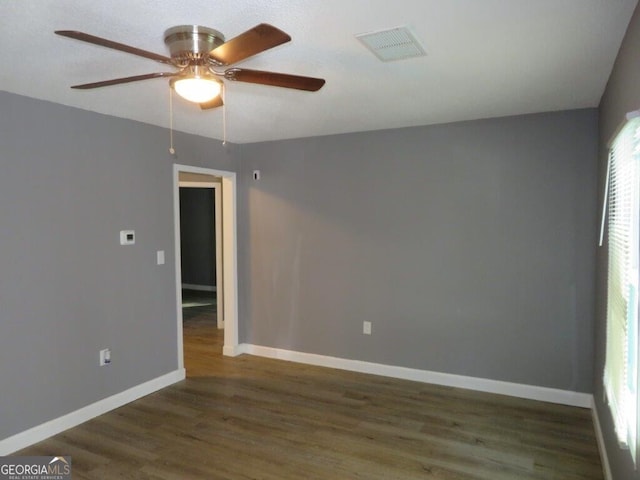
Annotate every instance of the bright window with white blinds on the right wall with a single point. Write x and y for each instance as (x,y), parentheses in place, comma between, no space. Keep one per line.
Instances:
(622,207)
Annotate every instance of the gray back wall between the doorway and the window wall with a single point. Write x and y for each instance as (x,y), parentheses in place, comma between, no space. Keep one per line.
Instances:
(469,246)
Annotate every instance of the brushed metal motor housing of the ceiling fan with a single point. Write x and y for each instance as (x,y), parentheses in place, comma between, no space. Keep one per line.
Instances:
(189,42)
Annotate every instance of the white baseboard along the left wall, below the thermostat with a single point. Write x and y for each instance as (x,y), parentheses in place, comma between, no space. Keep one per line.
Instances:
(53,427)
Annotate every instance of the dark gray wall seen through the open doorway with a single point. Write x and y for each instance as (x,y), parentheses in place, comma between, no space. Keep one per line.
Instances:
(197,236)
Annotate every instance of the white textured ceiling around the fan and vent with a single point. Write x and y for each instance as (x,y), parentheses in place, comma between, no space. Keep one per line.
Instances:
(485,58)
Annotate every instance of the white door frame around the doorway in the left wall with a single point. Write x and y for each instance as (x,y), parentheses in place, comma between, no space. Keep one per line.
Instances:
(229,261)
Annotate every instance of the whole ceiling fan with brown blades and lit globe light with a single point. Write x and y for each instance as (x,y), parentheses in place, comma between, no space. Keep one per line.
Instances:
(201,54)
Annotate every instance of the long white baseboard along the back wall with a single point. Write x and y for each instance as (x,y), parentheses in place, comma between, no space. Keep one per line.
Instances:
(552,395)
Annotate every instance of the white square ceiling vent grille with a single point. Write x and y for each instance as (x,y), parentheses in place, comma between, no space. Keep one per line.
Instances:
(393,44)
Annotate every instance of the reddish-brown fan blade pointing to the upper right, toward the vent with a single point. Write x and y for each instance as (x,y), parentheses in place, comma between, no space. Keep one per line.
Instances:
(258,39)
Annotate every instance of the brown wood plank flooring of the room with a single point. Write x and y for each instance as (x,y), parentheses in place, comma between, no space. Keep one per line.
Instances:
(254,418)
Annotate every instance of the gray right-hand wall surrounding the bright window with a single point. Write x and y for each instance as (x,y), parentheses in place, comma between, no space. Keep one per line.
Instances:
(622,95)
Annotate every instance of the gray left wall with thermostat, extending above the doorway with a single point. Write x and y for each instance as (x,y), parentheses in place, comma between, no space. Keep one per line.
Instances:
(70,180)
